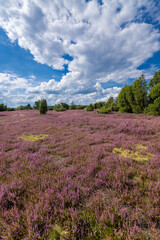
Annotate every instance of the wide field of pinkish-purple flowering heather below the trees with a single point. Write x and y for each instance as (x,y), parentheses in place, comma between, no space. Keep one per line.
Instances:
(70,184)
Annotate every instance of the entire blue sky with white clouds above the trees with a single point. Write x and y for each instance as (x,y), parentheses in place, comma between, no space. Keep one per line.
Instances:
(83,51)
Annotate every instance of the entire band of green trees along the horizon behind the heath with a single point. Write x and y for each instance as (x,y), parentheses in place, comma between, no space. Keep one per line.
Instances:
(140,97)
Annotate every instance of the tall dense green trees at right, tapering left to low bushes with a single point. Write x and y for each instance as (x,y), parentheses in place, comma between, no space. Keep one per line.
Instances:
(139,97)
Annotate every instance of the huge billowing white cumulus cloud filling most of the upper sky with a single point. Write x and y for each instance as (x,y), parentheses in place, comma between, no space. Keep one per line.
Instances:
(107,41)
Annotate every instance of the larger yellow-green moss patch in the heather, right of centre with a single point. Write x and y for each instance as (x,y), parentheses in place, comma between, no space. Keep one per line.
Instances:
(136,156)
